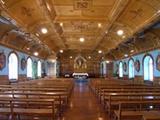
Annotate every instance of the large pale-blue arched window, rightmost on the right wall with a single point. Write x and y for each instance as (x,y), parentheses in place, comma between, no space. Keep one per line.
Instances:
(148,68)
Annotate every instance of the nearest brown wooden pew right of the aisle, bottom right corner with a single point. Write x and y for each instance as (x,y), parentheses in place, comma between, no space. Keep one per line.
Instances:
(137,109)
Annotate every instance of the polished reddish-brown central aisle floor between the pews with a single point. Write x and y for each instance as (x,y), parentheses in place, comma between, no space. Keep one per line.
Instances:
(83,105)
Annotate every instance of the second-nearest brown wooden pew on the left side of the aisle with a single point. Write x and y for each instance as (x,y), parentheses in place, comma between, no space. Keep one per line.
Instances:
(61,98)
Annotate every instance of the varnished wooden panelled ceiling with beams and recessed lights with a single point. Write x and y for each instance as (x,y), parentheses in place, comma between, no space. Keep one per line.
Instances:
(97,21)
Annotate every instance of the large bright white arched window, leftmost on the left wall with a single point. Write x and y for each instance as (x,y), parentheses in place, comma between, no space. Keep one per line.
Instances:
(13,66)
